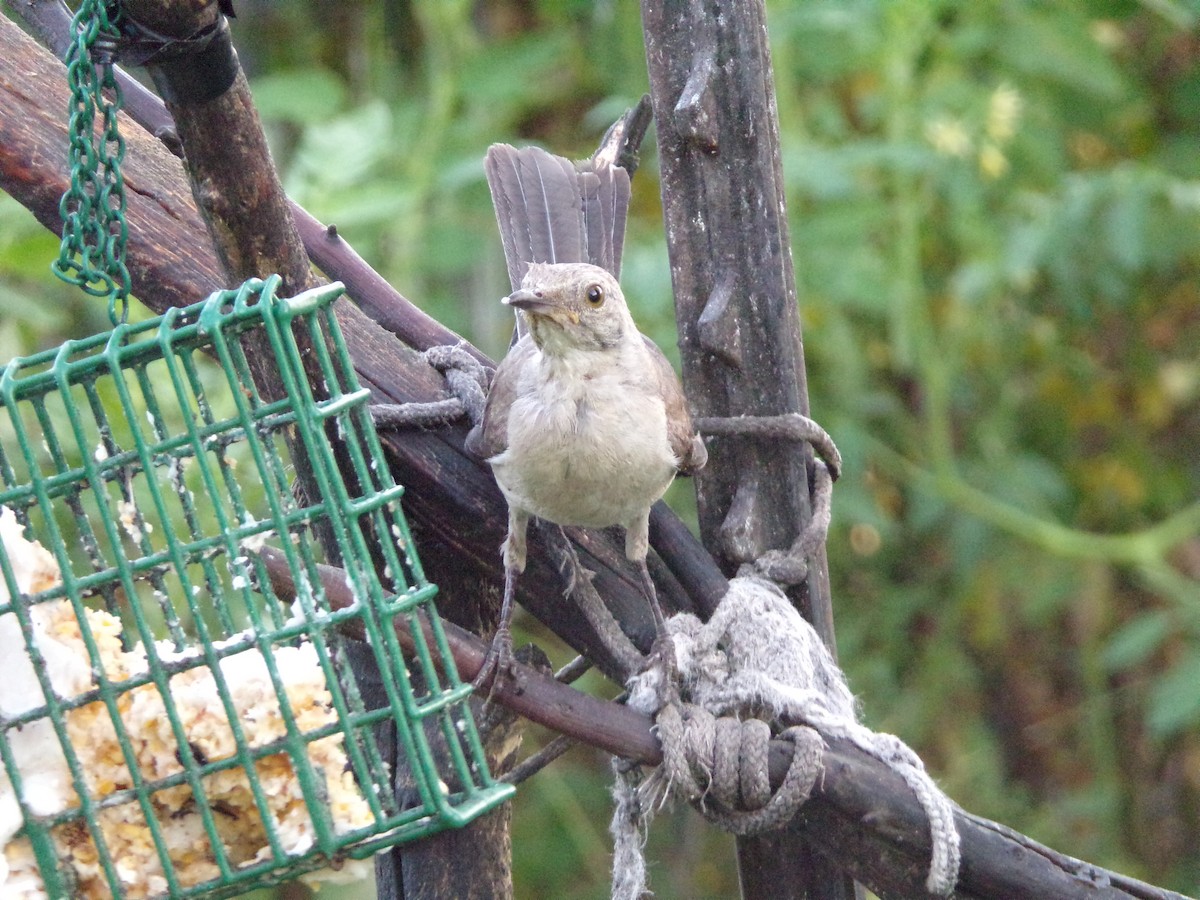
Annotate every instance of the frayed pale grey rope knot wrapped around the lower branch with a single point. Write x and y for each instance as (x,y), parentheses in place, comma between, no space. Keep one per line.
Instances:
(755,659)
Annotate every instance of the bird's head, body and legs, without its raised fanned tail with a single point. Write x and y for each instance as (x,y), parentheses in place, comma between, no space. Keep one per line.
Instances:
(586,424)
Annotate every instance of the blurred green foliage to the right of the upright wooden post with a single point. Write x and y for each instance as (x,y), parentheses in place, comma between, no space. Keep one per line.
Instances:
(995,232)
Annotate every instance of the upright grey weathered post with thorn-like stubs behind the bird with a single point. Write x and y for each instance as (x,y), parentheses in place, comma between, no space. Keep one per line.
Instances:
(740,334)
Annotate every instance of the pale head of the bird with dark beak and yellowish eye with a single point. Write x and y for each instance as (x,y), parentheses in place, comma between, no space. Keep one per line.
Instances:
(572,305)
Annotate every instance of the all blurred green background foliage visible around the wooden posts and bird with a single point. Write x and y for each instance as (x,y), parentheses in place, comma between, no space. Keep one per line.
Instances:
(994,218)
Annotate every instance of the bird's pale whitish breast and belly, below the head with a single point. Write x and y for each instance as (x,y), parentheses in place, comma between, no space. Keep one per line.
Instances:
(587,442)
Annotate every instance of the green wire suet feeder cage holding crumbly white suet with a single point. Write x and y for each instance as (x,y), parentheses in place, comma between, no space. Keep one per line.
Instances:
(181,728)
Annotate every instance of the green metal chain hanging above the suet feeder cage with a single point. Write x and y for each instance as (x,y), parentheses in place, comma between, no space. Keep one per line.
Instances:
(94,229)
